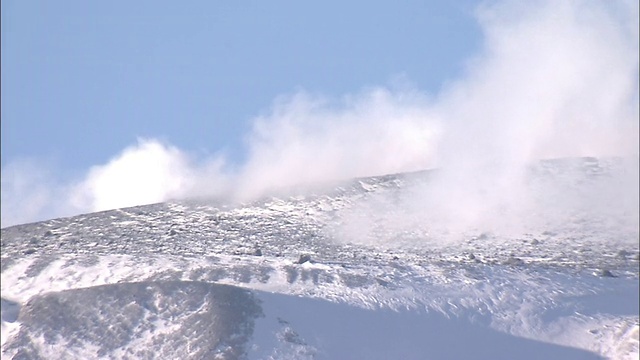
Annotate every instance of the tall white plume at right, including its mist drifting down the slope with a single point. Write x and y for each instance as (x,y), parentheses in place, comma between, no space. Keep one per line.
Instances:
(555,79)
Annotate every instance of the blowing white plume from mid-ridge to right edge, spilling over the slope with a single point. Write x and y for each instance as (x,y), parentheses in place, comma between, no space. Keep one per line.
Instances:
(554,80)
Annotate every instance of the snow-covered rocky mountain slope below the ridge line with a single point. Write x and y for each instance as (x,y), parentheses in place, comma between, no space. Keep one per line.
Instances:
(360,270)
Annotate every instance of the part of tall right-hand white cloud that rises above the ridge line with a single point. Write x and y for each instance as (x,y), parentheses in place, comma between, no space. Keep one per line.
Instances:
(554,79)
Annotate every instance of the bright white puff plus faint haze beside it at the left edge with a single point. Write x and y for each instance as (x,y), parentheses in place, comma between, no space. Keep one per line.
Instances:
(147,172)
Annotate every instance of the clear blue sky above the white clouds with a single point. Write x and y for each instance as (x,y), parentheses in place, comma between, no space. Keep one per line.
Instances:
(91,77)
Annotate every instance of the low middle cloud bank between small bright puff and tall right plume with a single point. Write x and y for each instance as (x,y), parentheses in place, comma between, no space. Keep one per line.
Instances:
(308,139)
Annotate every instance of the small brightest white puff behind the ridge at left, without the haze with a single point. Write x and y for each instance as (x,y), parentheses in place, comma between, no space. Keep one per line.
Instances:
(148,172)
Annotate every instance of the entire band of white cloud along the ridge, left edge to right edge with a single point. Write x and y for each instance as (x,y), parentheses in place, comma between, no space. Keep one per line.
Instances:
(553,79)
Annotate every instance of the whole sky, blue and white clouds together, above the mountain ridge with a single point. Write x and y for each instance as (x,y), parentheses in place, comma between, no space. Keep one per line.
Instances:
(110,104)
